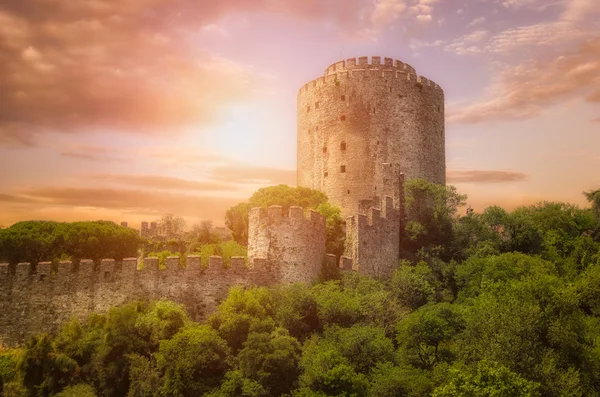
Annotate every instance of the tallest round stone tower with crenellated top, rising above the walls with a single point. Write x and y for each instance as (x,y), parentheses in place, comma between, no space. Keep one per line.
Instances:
(362,114)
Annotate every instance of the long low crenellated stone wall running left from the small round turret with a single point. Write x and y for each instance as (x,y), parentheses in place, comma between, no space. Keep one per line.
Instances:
(41,298)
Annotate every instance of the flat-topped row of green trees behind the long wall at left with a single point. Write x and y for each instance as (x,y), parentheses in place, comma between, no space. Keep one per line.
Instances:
(35,241)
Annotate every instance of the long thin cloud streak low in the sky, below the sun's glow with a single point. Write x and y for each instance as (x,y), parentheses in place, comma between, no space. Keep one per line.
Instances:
(163,182)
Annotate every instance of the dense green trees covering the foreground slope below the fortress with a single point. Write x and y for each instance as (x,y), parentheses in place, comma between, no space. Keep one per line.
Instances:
(499,304)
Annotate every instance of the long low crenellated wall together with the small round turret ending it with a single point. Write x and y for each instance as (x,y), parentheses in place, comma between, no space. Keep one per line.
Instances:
(283,249)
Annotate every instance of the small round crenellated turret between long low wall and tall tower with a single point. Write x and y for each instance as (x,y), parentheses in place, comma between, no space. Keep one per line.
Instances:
(295,241)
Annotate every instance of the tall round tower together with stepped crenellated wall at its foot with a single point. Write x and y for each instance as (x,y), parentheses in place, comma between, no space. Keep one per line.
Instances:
(362,128)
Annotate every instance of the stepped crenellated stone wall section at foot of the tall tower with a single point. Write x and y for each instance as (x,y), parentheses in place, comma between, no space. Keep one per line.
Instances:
(373,240)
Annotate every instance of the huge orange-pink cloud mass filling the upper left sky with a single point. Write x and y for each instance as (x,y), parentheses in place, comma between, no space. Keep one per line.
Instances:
(132,67)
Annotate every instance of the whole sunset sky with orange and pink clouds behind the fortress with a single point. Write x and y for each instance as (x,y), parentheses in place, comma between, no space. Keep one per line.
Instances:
(126,110)
